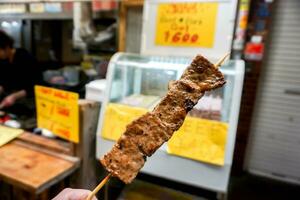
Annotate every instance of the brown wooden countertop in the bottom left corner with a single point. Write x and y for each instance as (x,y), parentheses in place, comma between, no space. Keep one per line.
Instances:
(30,163)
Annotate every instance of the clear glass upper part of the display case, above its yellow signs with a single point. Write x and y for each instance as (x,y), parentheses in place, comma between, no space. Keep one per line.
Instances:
(141,81)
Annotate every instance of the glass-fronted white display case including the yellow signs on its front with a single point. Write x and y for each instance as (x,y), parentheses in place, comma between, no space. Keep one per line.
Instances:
(136,83)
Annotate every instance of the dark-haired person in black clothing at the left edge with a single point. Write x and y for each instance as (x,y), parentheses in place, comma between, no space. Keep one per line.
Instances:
(18,72)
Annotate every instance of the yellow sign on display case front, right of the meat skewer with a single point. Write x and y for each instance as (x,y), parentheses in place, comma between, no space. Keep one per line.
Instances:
(200,139)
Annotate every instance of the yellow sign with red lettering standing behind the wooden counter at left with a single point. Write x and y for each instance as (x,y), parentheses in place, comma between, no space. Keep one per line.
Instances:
(58,111)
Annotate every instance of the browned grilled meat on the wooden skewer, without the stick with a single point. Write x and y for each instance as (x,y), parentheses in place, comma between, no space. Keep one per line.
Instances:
(146,134)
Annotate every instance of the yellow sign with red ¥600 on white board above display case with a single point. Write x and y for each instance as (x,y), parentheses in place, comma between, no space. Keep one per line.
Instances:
(186,24)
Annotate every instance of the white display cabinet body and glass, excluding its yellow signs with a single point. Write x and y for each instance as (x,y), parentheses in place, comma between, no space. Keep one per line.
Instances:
(133,77)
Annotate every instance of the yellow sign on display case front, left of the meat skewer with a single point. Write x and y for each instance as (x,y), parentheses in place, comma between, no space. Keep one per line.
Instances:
(117,117)
